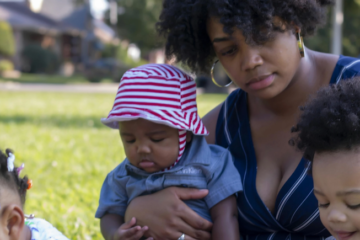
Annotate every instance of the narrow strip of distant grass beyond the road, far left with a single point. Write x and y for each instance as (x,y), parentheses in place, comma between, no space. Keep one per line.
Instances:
(43,78)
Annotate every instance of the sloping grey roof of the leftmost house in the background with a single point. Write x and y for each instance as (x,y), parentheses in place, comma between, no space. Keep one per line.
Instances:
(19,15)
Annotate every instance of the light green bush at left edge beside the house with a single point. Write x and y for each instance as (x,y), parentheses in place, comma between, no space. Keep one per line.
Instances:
(7,41)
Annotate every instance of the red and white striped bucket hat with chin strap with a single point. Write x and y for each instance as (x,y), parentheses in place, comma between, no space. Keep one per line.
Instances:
(159,93)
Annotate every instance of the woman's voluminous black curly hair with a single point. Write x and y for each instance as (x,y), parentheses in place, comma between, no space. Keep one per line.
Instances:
(183,23)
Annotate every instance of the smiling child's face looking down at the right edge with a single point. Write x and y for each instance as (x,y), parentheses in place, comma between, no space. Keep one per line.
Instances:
(337,188)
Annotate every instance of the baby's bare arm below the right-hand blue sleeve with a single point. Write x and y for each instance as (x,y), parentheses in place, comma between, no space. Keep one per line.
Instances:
(225,220)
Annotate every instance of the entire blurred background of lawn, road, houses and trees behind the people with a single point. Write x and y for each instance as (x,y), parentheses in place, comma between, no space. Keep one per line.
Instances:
(60,64)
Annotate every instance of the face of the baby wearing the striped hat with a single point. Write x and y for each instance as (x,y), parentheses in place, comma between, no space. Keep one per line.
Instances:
(149,146)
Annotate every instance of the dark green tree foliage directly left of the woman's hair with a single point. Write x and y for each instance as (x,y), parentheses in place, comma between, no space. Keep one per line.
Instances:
(137,23)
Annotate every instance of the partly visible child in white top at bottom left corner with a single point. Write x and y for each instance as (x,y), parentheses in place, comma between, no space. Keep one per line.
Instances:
(13,189)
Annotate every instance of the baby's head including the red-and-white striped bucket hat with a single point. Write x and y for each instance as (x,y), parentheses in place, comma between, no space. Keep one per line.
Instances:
(156,113)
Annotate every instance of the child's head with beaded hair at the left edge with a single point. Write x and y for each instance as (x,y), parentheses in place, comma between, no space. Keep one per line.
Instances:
(12,198)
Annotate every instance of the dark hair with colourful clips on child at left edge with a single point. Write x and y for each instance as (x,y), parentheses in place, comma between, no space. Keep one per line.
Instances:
(11,180)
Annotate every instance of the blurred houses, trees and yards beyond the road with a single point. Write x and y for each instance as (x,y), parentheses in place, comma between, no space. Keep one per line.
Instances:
(97,40)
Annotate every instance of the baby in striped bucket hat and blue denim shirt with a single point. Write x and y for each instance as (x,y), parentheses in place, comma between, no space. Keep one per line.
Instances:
(163,136)
